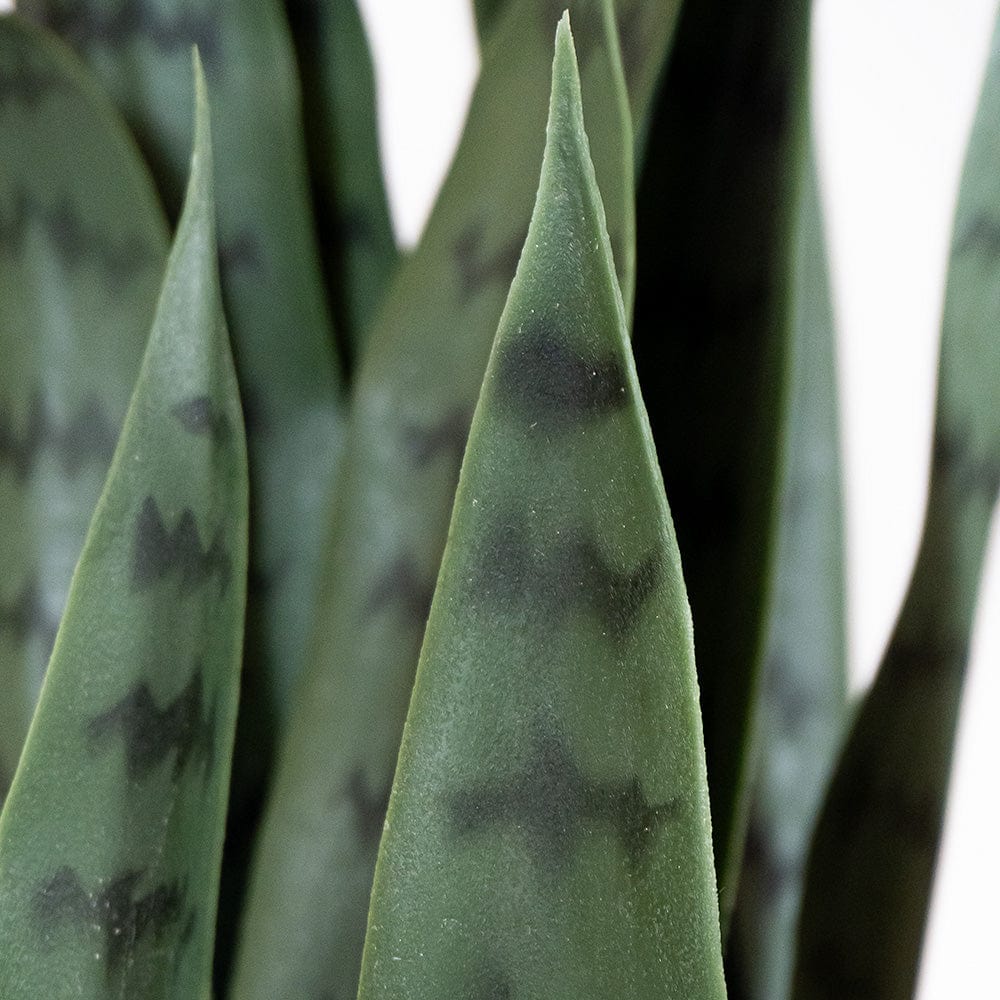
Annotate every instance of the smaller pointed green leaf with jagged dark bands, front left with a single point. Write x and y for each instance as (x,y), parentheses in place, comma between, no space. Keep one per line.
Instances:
(111,837)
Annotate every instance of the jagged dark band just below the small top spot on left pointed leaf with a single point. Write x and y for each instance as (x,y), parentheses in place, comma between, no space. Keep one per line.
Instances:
(160,553)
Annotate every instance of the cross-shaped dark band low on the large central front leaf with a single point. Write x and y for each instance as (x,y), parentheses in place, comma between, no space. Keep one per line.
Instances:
(551,804)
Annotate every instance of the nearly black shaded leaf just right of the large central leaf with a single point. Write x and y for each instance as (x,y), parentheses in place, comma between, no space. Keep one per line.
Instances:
(716,217)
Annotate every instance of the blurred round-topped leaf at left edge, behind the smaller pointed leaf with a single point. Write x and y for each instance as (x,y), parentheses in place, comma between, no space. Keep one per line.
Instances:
(83,243)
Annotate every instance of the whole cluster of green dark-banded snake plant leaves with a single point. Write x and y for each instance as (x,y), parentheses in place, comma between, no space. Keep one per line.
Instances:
(407,548)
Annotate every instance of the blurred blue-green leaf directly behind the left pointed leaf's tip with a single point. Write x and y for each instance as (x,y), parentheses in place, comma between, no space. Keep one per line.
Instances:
(271,277)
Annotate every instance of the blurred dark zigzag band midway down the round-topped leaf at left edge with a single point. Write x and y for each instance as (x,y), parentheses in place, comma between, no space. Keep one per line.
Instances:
(87,437)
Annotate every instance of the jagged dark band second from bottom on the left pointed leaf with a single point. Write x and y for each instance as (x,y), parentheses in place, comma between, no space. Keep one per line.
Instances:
(184,727)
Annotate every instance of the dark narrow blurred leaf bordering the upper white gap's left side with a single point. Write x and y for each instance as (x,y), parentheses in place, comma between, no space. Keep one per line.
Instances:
(338,93)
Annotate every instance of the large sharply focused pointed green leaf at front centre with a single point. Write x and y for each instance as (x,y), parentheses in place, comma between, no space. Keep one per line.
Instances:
(548,832)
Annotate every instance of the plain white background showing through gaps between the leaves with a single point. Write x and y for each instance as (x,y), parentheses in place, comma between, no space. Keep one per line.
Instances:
(896,84)
